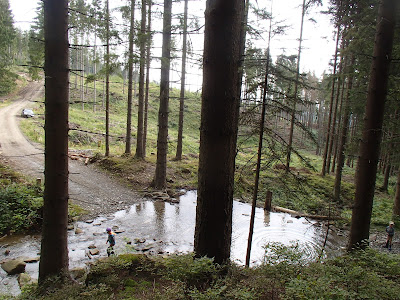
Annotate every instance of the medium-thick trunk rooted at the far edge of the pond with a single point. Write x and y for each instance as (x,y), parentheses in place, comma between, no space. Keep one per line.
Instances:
(160,178)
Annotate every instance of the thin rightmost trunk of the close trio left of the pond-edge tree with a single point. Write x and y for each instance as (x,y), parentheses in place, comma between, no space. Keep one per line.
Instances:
(148,62)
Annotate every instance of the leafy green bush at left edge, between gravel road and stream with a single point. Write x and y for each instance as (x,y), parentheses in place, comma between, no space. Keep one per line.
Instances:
(19,208)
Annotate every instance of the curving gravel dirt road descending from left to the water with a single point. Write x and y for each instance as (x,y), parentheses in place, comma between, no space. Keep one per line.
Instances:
(88,187)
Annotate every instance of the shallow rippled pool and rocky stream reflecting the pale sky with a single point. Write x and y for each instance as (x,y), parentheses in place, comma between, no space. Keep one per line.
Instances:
(160,228)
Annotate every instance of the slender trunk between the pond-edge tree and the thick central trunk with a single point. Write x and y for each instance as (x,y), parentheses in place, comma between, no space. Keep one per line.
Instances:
(178,155)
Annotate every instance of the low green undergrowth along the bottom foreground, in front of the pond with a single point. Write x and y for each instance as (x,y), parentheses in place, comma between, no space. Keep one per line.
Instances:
(363,274)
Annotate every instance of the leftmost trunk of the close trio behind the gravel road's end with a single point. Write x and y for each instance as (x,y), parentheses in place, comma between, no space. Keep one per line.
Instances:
(130,80)
